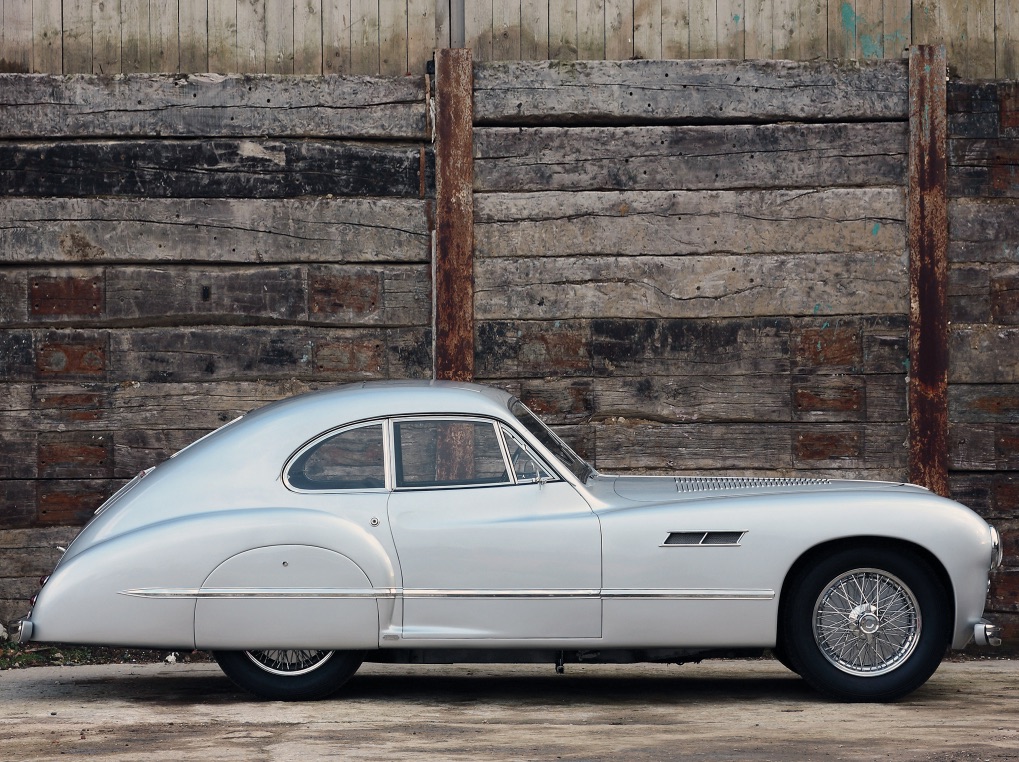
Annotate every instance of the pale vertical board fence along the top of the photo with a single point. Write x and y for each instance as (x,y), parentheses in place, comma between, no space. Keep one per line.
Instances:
(396,37)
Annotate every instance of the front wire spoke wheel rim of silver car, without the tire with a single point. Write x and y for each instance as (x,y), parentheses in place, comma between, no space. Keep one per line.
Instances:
(867,622)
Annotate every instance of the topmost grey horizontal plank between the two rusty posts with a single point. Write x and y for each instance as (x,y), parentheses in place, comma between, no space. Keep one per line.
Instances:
(663,92)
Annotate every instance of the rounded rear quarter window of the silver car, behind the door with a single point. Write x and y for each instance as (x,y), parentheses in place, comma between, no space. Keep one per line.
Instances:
(351,460)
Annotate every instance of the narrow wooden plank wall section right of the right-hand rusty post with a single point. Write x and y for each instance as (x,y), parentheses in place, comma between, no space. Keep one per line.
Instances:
(984,308)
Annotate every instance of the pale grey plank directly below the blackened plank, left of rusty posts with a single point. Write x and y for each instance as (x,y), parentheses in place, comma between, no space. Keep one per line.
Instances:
(118,231)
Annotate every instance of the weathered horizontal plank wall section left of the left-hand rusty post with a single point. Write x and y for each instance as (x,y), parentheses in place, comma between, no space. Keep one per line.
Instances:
(154,286)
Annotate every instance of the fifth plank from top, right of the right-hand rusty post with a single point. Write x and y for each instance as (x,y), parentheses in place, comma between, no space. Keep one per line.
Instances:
(983,355)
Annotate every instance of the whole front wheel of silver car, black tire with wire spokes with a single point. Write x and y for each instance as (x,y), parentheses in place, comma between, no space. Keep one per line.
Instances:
(867,624)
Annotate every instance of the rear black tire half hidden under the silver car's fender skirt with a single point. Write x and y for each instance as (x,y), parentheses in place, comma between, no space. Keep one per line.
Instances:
(290,675)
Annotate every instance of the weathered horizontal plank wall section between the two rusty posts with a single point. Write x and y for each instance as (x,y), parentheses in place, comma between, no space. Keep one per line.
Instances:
(723,288)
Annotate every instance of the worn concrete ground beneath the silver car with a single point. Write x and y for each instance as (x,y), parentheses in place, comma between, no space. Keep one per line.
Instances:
(718,711)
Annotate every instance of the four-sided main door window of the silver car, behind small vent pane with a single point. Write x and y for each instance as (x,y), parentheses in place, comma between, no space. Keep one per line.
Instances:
(447,454)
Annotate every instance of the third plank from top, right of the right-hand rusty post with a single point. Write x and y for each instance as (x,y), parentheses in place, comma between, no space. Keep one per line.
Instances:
(983,231)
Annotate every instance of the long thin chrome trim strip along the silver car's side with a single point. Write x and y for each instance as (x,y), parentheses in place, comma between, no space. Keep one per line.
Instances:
(310,593)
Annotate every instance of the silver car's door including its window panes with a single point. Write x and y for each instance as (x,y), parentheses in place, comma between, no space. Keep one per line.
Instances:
(490,551)
